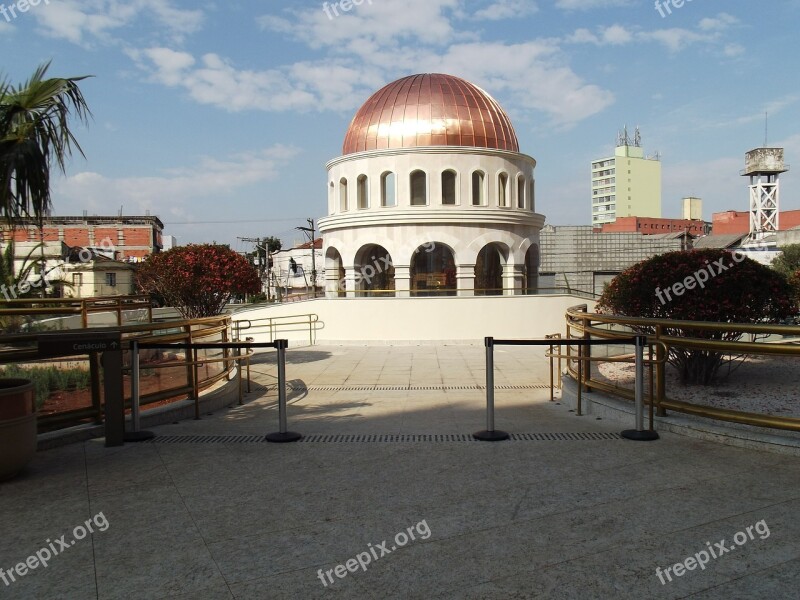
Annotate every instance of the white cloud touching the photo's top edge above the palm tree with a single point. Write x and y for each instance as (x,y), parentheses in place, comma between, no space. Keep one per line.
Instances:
(80,22)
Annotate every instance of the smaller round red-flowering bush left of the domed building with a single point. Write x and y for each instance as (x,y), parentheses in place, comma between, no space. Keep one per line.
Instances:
(198,279)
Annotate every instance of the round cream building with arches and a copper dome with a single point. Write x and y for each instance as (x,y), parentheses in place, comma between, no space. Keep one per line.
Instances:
(431,196)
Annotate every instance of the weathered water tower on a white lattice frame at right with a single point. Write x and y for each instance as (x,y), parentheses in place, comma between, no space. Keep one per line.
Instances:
(763,166)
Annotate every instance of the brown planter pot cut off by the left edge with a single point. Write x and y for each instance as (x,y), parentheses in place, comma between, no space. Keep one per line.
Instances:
(17,426)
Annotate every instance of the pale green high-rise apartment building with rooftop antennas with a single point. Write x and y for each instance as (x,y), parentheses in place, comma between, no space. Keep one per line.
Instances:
(626,184)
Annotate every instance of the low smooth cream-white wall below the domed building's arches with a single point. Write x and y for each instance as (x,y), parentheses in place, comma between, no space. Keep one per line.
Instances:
(382,320)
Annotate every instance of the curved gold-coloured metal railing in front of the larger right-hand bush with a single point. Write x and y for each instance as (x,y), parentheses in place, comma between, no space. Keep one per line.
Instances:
(665,335)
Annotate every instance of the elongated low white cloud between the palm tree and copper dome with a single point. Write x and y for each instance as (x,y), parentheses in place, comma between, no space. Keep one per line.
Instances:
(209,178)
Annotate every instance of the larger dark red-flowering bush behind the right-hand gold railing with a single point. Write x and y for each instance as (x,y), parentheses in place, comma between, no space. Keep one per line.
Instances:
(700,285)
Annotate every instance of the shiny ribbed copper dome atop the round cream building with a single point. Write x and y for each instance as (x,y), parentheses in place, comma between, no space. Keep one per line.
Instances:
(430,110)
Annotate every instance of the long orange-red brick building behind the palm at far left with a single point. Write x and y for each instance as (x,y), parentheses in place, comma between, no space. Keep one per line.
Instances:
(132,238)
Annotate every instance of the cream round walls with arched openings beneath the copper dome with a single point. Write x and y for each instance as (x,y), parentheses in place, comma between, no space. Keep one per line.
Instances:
(491,204)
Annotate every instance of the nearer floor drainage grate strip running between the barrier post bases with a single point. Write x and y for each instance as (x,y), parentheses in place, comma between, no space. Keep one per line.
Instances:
(383,438)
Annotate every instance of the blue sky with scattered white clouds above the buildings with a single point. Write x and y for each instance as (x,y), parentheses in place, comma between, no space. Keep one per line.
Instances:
(220,116)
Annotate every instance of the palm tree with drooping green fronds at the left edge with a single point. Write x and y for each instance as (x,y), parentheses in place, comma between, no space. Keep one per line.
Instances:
(34,132)
